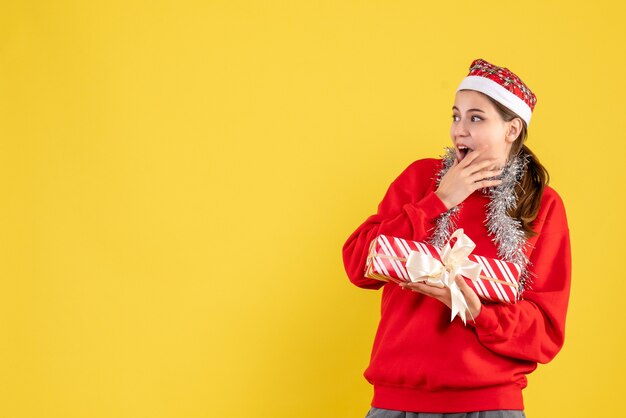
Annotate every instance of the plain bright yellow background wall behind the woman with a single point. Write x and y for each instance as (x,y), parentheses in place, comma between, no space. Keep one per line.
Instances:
(178,179)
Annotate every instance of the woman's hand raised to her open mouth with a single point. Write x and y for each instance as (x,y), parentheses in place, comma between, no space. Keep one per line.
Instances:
(465,177)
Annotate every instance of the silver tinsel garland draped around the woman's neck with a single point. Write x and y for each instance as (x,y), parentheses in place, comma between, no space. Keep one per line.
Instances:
(506,232)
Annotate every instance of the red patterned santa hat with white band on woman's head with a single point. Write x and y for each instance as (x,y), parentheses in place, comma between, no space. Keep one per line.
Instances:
(501,85)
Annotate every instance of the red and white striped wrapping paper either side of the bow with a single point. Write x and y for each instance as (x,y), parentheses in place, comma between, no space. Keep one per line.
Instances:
(387,258)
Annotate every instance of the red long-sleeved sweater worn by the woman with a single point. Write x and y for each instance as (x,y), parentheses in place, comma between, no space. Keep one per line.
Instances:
(421,361)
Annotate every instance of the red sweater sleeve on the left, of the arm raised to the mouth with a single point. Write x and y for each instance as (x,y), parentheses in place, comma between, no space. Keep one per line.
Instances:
(408,210)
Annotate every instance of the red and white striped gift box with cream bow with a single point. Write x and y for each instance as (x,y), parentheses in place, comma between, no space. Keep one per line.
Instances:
(399,260)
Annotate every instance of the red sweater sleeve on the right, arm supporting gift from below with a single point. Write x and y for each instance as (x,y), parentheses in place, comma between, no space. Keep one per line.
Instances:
(534,328)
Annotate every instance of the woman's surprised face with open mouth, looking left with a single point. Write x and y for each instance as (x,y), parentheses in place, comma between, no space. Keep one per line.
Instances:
(477,126)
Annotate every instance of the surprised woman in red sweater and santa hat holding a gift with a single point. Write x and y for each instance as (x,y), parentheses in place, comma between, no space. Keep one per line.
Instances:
(491,185)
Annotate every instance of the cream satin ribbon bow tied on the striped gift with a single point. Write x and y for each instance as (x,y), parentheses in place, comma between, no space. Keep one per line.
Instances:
(425,268)
